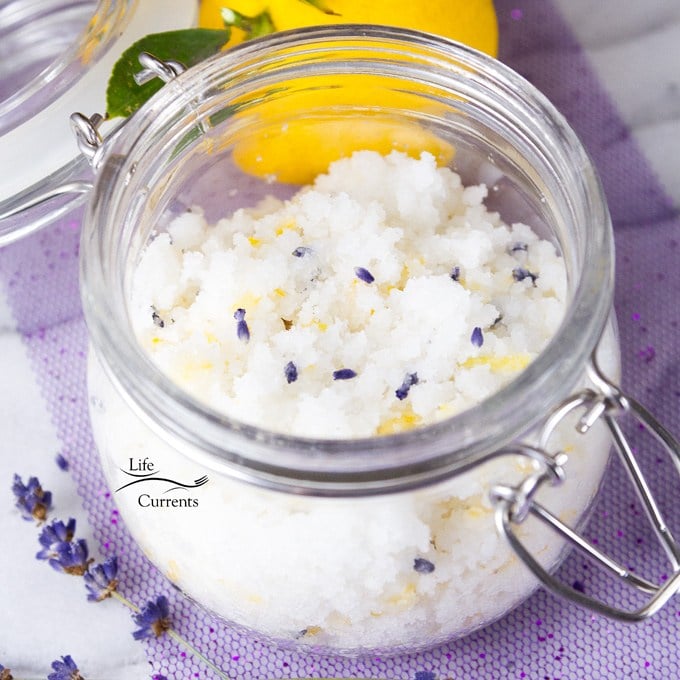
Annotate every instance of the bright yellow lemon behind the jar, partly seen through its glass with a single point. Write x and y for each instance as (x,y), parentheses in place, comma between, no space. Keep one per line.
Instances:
(290,148)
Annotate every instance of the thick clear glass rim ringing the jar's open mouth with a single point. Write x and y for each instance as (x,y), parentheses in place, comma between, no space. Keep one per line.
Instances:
(360,466)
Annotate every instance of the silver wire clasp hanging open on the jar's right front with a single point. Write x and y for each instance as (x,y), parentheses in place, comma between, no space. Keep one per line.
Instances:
(513,504)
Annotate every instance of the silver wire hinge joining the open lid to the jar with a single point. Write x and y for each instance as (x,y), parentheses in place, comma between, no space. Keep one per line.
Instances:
(90,141)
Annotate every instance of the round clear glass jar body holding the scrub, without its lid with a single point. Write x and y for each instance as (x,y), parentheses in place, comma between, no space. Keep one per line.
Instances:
(377,544)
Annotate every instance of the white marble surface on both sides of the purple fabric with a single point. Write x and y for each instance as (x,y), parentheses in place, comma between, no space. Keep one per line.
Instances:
(635,49)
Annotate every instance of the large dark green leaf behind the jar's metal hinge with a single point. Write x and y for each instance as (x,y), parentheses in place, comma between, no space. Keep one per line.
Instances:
(189,47)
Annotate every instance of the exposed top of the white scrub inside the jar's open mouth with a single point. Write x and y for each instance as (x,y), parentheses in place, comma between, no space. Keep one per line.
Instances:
(383,297)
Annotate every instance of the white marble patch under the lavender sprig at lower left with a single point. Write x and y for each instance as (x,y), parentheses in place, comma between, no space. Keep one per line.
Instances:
(46,614)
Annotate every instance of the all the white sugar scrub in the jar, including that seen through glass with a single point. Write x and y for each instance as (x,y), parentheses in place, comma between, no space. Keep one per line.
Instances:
(384,297)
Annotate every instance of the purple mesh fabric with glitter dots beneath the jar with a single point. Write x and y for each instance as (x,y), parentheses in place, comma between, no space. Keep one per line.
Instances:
(543,638)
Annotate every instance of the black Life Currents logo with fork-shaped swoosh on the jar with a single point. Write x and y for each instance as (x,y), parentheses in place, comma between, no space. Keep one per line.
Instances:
(155,490)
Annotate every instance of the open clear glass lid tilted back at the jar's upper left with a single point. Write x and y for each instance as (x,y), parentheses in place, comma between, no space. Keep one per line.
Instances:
(47,75)
